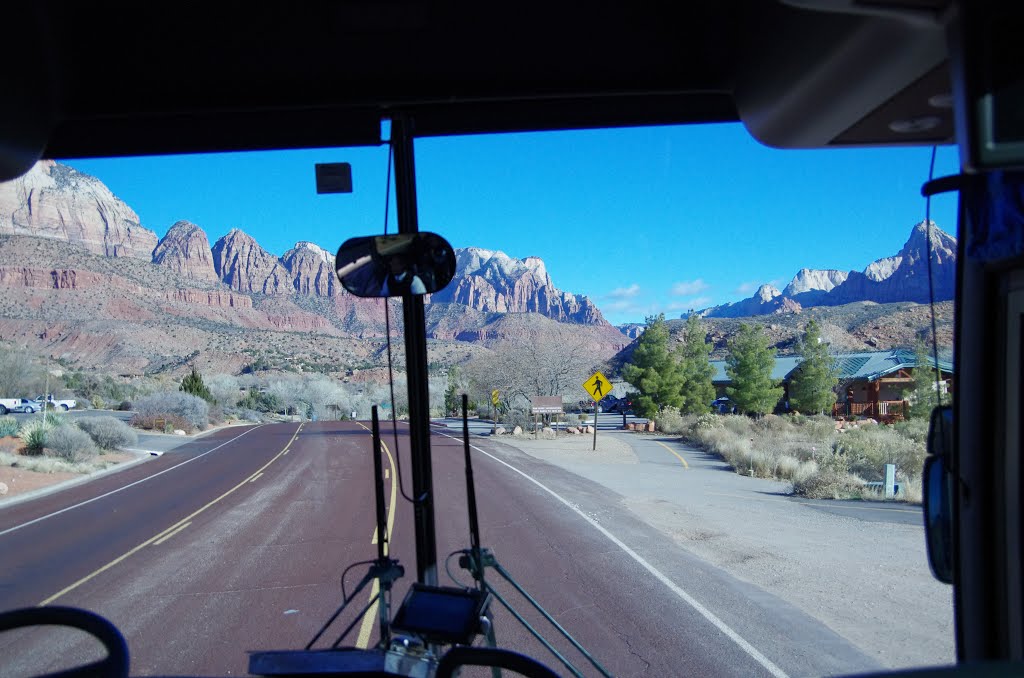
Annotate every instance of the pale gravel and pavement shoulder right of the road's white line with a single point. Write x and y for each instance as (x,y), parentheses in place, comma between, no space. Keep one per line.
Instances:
(868,581)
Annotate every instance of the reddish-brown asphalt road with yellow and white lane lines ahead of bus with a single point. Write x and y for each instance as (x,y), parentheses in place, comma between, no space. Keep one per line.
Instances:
(238,542)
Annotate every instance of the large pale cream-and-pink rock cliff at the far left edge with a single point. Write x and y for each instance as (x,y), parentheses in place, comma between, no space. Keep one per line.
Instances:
(57,201)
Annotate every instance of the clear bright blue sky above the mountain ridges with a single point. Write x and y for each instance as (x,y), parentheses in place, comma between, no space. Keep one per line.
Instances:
(643,221)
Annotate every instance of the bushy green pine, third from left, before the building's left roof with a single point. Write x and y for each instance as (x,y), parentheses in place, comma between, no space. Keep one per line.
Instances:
(750,366)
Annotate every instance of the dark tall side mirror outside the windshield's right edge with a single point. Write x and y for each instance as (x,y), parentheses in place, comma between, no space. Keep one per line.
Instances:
(938,485)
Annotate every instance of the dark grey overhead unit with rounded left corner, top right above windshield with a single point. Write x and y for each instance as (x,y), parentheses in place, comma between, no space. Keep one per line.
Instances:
(828,79)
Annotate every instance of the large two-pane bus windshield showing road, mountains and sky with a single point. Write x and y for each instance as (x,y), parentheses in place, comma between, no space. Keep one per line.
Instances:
(698,374)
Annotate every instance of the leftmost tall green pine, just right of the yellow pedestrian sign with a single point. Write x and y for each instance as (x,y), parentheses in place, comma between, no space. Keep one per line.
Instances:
(654,370)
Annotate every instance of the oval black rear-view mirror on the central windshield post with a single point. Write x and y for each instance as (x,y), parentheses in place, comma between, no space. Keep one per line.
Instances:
(396,266)
